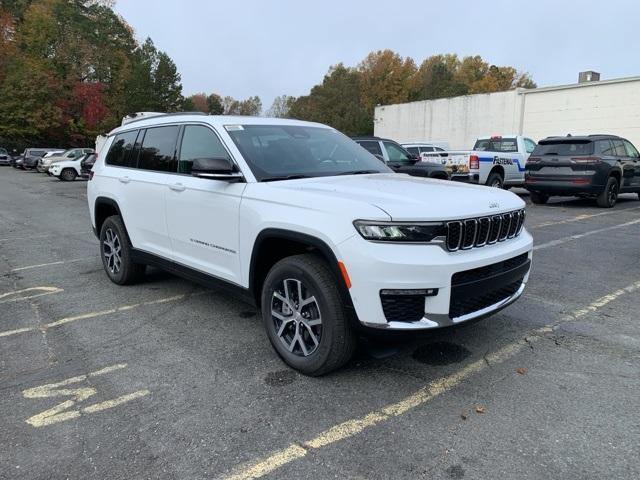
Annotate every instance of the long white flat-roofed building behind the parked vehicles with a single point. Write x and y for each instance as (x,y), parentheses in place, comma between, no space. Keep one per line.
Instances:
(610,106)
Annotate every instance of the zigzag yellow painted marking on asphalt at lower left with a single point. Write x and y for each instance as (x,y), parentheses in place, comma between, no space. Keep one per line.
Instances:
(62,411)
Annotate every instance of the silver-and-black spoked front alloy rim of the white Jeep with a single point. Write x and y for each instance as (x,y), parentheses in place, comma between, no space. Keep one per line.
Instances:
(296,317)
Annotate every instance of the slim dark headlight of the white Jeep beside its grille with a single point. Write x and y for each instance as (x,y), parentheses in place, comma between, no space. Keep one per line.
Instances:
(400,232)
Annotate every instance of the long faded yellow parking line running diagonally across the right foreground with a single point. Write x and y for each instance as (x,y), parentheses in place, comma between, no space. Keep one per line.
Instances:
(427,393)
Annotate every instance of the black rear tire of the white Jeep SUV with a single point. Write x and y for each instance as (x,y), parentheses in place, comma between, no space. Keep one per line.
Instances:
(127,272)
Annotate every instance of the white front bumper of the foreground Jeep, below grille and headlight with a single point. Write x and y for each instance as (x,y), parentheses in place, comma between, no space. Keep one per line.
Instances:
(376,267)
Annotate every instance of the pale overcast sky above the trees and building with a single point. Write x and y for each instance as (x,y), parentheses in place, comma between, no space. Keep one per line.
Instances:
(274,47)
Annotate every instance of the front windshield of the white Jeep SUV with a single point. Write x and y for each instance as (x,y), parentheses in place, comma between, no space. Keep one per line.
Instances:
(280,151)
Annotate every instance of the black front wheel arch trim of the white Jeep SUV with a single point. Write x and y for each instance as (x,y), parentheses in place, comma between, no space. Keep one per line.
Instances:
(274,244)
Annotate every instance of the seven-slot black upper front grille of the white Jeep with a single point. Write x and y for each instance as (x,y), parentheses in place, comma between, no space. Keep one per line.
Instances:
(478,232)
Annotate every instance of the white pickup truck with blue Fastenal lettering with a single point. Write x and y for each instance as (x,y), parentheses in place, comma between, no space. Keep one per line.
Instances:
(496,161)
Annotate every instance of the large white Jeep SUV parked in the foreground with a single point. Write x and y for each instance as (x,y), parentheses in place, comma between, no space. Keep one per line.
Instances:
(304,223)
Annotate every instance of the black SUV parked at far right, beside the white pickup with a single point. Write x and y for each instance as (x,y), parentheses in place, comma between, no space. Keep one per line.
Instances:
(593,166)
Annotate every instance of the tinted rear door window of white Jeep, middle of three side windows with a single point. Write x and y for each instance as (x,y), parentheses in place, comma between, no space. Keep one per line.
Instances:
(158,152)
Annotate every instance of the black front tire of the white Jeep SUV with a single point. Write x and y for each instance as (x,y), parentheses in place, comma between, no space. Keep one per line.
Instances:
(335,337)
